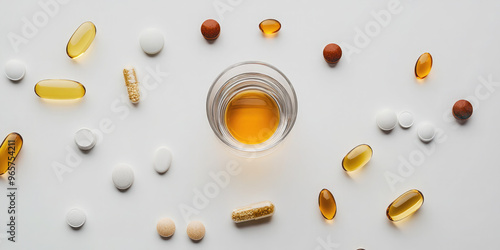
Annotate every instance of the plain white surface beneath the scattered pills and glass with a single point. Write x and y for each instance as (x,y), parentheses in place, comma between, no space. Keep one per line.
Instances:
(458,173)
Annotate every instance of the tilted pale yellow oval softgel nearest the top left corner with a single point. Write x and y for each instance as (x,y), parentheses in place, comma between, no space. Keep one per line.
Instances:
(81,39)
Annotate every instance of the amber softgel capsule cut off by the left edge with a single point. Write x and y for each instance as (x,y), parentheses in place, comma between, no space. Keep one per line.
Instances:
(9,150)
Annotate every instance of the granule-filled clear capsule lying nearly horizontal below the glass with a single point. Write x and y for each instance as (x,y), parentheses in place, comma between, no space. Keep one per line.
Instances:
(253,212)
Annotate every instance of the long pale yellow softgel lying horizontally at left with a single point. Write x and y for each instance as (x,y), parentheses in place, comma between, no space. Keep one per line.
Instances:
(59,89)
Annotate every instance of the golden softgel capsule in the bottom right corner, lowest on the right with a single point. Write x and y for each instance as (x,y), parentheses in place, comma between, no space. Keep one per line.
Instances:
(405,205)
